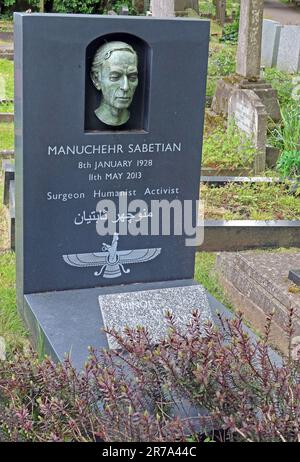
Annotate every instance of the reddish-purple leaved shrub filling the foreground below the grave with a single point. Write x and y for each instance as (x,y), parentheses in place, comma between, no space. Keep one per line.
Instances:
(153,393)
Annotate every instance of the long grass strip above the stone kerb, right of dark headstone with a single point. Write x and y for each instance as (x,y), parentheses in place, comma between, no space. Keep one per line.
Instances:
(250,202)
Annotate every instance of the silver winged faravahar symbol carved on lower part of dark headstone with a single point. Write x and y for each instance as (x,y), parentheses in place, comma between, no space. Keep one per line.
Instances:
(111,260)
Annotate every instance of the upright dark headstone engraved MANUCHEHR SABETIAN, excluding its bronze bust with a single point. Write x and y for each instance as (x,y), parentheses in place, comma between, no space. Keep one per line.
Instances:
(67,160)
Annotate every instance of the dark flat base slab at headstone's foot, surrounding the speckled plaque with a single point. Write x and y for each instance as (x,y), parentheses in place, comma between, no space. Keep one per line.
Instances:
(71,321)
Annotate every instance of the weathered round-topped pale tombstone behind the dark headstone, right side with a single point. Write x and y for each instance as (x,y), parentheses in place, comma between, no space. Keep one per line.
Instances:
(250,116)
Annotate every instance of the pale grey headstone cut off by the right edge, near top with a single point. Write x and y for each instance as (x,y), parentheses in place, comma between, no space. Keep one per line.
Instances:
(289,49)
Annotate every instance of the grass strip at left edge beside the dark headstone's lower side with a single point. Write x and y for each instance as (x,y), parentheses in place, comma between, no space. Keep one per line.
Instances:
(11,326)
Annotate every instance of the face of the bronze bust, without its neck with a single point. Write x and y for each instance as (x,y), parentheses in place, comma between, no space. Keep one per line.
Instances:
(118,79)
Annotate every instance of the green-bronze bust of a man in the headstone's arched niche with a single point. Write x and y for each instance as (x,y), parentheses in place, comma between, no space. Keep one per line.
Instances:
(115,73)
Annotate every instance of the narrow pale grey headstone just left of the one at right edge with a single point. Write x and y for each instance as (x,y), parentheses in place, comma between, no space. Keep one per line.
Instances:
(270,42)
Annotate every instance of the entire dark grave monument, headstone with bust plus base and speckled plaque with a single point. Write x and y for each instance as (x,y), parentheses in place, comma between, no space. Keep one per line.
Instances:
(104,98)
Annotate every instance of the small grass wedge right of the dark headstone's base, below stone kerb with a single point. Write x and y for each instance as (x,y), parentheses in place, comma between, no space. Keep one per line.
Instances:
(205,274)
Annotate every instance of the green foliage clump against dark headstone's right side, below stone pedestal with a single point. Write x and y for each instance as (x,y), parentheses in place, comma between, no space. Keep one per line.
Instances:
(229,149)
